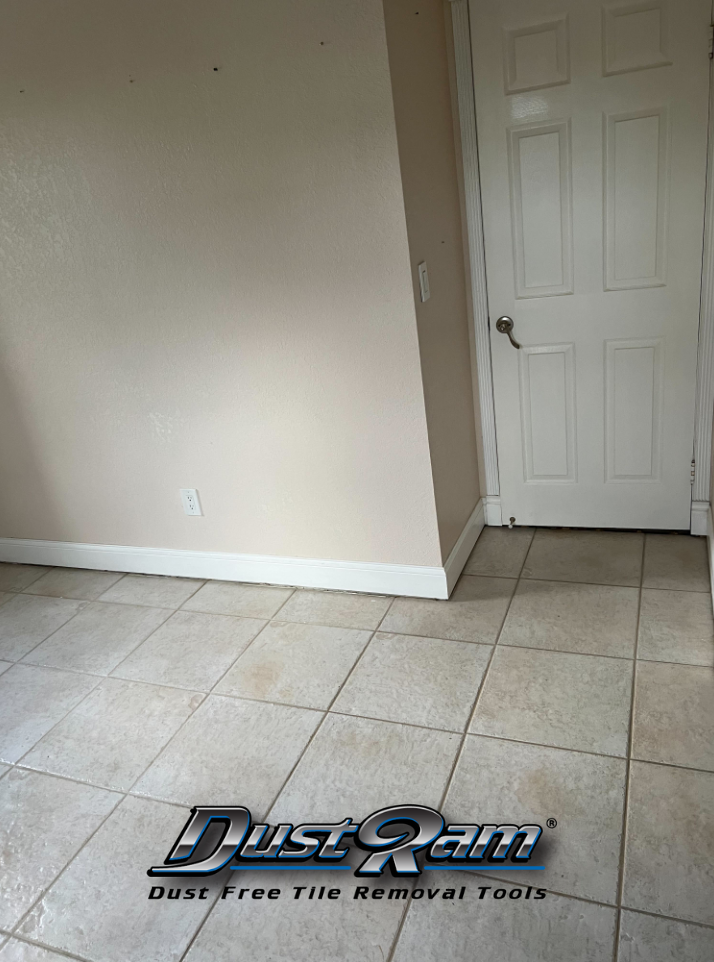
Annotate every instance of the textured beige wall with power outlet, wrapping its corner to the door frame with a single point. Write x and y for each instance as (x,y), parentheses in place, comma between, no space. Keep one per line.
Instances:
(205,280)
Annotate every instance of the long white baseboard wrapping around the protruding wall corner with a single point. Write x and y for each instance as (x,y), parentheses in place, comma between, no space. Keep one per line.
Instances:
(418,581)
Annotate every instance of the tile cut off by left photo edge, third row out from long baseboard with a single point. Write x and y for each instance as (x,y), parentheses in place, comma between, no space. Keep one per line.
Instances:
(32,700)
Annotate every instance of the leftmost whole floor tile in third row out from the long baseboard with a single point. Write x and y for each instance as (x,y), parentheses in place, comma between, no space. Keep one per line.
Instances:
(114,734)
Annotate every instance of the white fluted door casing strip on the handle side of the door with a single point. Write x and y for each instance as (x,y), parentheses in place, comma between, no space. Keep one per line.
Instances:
(474,227)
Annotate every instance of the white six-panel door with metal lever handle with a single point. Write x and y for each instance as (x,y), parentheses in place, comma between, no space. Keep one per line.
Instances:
(592,133)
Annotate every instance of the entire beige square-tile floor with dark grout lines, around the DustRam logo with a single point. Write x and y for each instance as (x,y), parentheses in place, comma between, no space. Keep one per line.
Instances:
(571,676)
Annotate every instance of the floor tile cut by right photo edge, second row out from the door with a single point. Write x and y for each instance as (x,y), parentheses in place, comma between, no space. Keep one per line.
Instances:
(676,626)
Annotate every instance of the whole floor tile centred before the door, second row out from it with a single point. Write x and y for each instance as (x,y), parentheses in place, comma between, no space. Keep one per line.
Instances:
(589,619)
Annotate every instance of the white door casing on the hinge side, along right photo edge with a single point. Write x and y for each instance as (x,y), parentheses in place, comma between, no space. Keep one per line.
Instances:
(705,355)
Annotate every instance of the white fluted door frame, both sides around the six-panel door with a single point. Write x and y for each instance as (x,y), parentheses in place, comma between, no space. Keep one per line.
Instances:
(474,222)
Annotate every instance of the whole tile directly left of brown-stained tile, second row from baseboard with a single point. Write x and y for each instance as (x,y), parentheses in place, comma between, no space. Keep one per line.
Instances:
(190,650)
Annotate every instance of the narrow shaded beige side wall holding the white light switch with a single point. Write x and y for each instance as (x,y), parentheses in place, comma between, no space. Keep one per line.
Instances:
(419,64)
